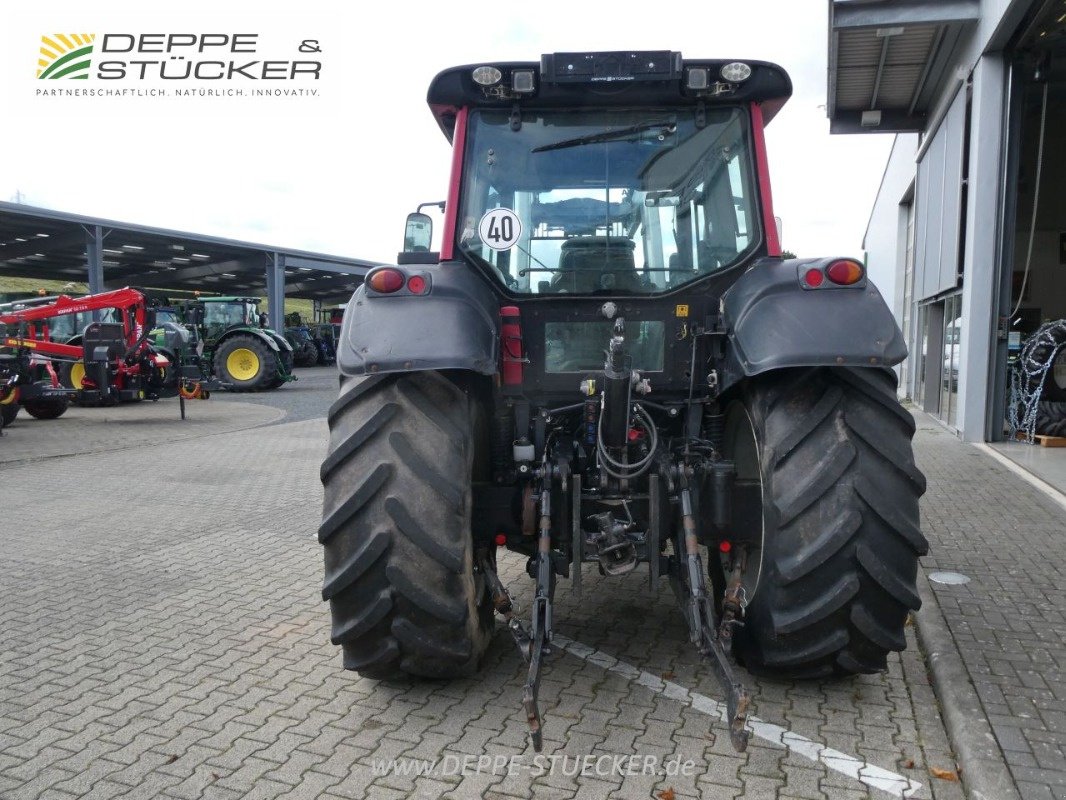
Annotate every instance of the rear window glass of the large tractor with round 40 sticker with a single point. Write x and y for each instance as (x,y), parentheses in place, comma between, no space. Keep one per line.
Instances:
(607,202)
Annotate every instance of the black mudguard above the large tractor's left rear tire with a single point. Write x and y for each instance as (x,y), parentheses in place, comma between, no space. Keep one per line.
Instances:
(453,327)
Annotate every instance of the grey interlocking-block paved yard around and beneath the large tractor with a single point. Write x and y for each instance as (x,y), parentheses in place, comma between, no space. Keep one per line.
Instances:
(164,636)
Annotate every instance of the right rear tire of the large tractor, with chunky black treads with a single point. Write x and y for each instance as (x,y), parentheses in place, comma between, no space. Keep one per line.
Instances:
(835,579)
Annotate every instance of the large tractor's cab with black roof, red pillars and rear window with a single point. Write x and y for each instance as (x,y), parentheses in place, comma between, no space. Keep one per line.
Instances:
(609,174)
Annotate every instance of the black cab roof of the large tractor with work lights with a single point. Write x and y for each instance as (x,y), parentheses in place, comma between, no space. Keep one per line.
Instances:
(632,78)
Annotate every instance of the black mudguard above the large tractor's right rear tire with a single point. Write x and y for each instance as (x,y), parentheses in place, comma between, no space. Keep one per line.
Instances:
(773,322)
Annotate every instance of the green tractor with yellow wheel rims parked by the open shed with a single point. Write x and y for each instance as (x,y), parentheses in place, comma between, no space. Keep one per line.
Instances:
(243,354)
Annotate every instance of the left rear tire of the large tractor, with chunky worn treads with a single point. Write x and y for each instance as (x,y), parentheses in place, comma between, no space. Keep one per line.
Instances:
(400,578)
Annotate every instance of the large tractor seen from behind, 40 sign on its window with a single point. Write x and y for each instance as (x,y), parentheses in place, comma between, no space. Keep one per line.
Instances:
(609,362)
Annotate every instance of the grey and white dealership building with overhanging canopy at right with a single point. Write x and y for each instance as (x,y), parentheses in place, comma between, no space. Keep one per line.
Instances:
(967,237)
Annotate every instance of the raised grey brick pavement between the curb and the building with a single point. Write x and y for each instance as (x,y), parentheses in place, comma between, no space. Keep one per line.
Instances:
(1010,621)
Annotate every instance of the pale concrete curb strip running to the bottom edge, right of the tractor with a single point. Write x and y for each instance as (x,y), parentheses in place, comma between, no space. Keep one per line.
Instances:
(982,766)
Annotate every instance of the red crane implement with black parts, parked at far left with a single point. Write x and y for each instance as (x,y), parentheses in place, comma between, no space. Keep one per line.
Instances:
(114,363)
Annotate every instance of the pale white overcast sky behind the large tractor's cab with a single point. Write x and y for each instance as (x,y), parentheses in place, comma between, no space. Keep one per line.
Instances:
(338,172)
